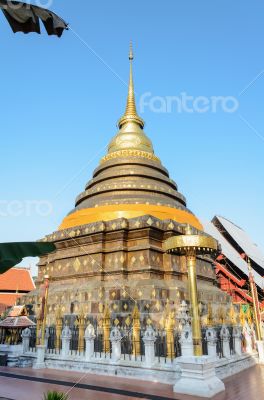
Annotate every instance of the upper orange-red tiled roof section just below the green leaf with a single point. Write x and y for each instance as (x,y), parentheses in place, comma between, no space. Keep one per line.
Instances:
(17,279)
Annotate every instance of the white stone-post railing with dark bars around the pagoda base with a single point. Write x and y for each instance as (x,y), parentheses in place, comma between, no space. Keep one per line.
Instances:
(149,346)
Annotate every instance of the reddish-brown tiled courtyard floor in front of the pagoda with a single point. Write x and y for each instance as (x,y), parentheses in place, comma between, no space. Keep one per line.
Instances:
(20,384)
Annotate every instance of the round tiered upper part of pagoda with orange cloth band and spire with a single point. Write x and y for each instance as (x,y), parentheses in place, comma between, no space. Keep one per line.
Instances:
(130,180)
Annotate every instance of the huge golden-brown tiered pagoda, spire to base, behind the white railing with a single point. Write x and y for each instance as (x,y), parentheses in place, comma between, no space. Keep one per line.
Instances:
(110,248)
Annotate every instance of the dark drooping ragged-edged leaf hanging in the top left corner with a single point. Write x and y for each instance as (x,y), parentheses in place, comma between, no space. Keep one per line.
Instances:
(23,17)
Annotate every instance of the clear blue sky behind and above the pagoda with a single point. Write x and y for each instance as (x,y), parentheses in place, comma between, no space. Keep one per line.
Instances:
(60,103)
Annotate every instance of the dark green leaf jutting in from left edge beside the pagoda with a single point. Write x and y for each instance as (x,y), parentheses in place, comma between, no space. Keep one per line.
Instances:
(12,254)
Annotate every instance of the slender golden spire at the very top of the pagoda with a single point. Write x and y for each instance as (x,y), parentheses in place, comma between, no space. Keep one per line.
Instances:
(131,114)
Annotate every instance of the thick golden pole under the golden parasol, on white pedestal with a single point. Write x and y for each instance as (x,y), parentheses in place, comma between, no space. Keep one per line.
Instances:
(196,325)
